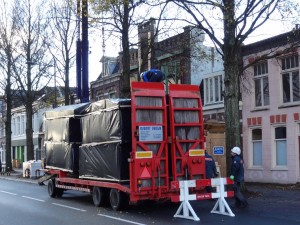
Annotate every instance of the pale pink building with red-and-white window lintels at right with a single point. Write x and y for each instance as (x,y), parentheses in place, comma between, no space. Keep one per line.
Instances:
(271,112)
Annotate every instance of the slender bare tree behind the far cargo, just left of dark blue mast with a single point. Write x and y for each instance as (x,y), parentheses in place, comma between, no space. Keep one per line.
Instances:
(62,47)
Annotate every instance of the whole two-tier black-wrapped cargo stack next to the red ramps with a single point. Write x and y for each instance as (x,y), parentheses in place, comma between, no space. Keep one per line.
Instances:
(106,140)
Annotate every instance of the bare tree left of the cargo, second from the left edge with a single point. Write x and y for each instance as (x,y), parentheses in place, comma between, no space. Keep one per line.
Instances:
(33,61)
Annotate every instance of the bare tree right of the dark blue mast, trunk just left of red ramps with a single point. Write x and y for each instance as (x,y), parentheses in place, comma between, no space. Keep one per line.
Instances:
(123,19)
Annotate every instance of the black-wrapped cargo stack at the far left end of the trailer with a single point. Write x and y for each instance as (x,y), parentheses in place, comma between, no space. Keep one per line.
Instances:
(63,137)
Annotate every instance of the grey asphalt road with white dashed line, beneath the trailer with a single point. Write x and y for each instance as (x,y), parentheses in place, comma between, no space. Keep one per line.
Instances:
(28,203)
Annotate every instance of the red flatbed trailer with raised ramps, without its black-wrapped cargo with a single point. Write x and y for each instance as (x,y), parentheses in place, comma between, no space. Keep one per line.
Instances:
(167,146)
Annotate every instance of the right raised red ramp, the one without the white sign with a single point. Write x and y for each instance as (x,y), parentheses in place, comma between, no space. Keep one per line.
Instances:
(184,164)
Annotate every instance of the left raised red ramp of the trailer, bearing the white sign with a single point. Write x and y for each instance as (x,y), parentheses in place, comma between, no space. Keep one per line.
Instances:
(151,169)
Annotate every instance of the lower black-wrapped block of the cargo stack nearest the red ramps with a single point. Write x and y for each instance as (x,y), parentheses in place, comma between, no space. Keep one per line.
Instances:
(108,161)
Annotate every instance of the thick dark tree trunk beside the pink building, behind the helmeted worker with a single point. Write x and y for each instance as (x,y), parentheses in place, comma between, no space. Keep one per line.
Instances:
(231,51)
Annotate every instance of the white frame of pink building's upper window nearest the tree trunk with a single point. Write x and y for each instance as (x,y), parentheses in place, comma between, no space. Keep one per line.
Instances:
(260,74)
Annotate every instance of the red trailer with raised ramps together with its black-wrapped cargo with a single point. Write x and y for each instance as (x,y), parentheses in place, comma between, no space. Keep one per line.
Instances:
(128,150)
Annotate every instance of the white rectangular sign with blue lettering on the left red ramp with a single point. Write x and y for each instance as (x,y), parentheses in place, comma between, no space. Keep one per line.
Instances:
(150,133)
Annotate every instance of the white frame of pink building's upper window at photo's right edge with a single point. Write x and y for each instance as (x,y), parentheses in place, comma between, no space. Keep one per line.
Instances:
(290,67)
